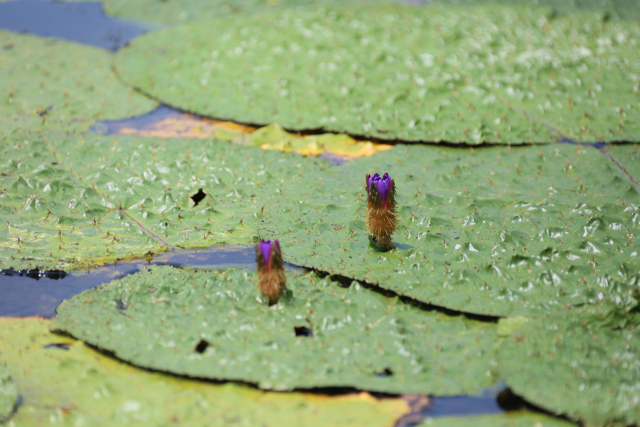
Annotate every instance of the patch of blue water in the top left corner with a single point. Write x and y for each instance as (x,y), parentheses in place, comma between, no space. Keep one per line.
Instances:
(82,22)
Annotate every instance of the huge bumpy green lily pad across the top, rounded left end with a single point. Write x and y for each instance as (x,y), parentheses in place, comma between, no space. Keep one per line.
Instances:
(414,74)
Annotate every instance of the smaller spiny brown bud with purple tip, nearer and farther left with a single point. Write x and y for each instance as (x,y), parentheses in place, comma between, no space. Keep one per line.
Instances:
(271,279)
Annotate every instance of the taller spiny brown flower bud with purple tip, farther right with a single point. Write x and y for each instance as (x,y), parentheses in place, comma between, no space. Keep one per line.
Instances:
(381,208)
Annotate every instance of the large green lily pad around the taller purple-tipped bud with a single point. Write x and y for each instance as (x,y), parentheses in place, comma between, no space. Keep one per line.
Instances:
(497,231)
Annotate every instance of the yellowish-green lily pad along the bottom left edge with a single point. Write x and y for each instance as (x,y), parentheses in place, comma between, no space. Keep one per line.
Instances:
(71,384)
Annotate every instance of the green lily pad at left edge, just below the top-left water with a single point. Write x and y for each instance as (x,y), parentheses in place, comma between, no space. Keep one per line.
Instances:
(58,79)
